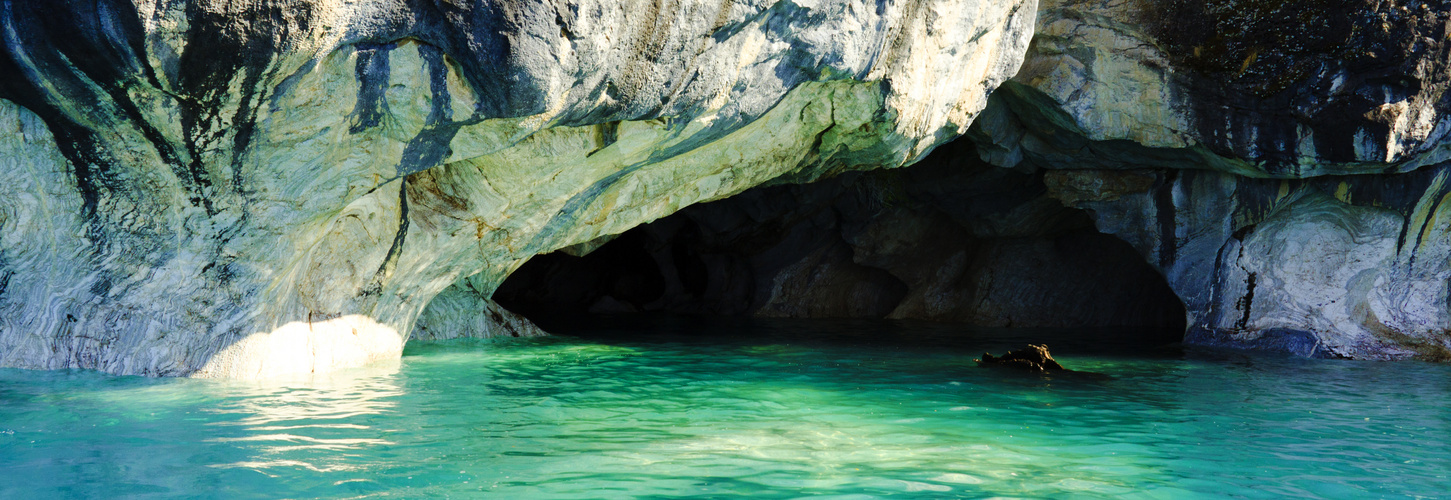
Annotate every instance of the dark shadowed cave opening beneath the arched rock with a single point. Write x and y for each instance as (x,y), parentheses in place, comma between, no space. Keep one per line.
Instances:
(951,241)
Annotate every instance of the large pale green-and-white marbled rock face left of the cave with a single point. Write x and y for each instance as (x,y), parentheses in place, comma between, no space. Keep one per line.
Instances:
(258,189)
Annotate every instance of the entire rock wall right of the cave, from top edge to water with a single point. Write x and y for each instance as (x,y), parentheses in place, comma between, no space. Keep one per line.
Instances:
(1282,163)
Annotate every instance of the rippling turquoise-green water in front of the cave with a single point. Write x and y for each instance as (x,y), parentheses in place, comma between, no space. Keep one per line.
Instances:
(789,409)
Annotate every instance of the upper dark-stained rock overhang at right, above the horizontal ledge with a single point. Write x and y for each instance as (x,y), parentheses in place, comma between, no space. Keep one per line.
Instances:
(1262,89)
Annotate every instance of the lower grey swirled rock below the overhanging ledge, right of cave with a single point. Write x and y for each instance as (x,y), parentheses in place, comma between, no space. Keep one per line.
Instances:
(1346,266)
